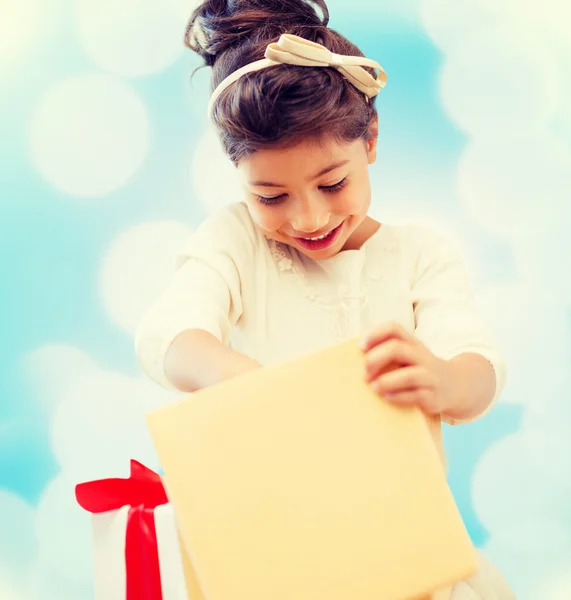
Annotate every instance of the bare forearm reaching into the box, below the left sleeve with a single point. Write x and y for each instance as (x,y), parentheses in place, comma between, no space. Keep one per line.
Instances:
(196,359)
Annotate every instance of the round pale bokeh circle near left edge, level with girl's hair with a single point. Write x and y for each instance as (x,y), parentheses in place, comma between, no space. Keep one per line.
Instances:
(89,135)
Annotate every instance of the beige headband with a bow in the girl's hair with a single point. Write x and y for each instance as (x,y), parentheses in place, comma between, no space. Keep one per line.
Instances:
(294,50)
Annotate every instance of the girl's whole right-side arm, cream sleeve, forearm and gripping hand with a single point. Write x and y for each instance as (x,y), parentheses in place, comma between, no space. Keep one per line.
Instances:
(450,366)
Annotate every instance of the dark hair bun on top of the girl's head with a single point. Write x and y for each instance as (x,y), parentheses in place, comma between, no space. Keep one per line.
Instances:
(216,25)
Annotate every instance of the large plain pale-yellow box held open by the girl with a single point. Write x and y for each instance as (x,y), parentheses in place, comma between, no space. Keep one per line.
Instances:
(297,481)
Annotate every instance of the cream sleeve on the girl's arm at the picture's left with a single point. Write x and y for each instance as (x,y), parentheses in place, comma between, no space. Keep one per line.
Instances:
(205,292)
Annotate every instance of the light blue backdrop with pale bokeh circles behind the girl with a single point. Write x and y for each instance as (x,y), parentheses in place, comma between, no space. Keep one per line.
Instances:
(107,163)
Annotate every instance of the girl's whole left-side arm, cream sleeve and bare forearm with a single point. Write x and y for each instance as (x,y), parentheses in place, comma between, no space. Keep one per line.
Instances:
(182,342)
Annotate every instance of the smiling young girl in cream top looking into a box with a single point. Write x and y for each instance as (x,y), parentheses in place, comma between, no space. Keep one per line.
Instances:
(298,265)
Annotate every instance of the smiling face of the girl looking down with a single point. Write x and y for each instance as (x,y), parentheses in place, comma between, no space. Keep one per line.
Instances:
(310,190)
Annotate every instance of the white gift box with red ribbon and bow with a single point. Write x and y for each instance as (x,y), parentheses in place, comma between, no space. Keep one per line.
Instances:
(136,545)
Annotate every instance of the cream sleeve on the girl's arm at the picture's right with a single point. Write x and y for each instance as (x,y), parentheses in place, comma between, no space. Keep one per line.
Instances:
(446,318)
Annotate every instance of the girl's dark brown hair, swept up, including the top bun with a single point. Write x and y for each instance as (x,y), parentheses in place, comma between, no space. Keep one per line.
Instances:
(281,105)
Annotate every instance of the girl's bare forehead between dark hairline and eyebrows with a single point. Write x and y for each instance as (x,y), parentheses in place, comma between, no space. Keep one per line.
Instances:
(302,159)
